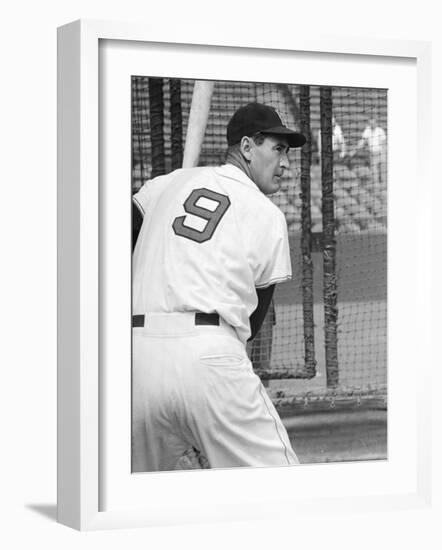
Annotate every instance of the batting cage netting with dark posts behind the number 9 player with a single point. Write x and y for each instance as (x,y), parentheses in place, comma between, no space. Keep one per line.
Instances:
(324,340)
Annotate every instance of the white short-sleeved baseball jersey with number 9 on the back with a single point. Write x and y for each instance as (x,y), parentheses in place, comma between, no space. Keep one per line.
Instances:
(209,238)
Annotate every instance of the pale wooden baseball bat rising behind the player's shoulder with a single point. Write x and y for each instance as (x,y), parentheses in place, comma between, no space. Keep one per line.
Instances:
(199,113)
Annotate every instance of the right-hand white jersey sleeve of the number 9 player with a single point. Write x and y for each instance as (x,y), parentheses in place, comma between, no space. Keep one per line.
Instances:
(272,254)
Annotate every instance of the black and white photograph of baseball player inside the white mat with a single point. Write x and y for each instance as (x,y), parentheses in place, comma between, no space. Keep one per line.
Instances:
(259,274)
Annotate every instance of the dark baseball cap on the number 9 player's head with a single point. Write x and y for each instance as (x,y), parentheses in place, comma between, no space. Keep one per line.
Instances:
(258,118)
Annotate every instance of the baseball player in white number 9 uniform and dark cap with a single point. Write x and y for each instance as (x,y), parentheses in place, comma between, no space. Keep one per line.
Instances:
(210,250)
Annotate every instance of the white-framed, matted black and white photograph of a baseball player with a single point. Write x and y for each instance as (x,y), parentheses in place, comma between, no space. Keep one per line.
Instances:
(156,151)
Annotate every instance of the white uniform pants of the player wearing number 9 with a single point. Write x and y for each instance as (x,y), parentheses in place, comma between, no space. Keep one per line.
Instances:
(194,386)
